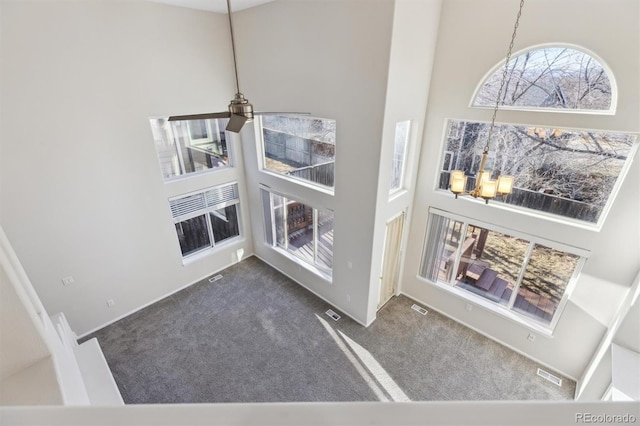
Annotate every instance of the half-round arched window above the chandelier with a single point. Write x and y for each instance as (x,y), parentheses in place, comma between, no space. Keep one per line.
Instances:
(551,77)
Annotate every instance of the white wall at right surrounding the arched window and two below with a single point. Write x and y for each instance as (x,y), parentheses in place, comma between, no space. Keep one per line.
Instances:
(473,37)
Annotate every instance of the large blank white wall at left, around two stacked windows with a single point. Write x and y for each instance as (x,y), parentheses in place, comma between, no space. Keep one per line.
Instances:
(82,192)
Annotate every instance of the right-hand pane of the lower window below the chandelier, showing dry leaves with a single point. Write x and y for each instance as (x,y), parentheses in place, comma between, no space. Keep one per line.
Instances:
(545,280)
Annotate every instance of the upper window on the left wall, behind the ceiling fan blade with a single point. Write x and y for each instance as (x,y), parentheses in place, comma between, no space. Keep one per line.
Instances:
(190,146)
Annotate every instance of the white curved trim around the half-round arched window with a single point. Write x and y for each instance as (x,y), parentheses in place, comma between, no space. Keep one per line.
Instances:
(605,67)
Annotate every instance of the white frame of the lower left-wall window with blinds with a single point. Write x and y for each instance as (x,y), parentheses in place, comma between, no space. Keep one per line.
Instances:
(207,211)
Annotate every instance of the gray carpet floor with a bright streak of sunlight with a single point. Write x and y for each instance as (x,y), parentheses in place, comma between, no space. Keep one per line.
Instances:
(257,336)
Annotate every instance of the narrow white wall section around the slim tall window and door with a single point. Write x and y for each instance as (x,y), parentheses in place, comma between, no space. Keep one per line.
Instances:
(415,32)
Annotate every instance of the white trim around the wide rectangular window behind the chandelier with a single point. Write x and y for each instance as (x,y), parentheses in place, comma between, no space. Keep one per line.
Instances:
(593,226)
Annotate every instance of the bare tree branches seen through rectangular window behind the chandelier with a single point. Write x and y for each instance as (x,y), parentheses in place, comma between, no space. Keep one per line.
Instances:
(576,165)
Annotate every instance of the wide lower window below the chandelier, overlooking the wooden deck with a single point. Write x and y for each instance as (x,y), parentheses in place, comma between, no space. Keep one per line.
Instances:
(518,273)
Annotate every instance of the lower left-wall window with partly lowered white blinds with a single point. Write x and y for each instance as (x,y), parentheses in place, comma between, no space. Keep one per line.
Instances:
(206,218)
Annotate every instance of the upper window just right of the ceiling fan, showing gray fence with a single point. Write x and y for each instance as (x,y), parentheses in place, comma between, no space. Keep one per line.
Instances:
(299,147)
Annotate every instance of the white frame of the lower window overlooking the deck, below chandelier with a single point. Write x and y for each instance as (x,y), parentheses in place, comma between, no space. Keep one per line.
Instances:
(496,307)
